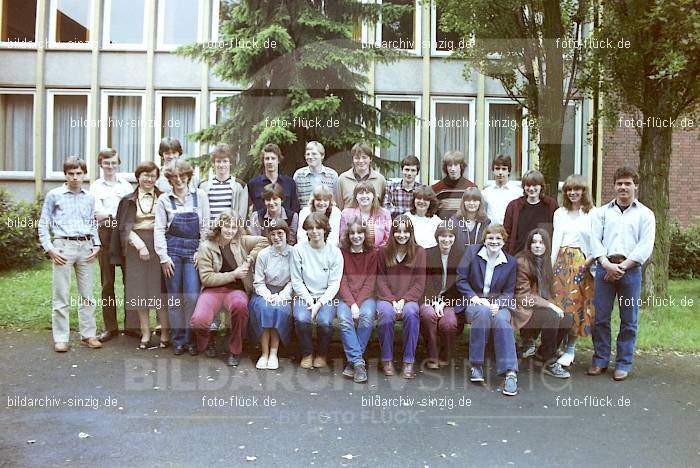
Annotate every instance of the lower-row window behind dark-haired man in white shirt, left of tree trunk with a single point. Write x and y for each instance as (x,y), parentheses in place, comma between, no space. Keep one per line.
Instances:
(506,134)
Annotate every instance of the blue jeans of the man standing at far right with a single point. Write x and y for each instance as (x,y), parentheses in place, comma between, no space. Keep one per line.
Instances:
(627,290)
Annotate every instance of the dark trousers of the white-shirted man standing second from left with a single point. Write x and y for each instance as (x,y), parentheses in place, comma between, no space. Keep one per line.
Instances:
(109,301)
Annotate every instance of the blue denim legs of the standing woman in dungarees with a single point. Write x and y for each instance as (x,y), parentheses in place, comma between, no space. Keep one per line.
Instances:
(183,289)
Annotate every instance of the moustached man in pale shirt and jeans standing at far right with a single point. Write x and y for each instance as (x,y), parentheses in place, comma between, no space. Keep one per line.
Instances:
(622,239)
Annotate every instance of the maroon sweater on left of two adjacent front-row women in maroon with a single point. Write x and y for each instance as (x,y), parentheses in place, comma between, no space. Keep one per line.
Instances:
(359,276)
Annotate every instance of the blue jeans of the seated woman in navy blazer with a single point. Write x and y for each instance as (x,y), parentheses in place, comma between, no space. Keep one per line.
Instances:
(482,321)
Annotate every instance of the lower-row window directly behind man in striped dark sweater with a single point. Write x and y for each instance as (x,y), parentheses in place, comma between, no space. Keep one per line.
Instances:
(451,130)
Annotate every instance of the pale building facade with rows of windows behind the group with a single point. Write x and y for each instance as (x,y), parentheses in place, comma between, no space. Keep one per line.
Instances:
(79,75)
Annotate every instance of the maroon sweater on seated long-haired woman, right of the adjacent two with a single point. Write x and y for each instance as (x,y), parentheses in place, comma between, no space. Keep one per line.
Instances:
(401,281)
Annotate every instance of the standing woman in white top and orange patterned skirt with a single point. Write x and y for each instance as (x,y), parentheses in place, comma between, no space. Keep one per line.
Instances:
(572,260)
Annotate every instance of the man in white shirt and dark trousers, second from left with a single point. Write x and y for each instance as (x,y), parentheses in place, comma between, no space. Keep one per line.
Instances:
(108,190)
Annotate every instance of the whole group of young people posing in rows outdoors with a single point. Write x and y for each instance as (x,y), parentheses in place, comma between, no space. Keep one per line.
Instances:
(281,254)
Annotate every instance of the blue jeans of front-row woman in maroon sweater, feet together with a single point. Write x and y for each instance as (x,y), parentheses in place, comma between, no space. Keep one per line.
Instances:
(355,340)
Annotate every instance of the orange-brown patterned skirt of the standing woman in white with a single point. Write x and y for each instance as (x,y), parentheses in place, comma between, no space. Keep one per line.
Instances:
(573,288)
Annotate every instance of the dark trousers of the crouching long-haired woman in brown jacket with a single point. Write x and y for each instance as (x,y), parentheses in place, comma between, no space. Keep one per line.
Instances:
(550,327)
